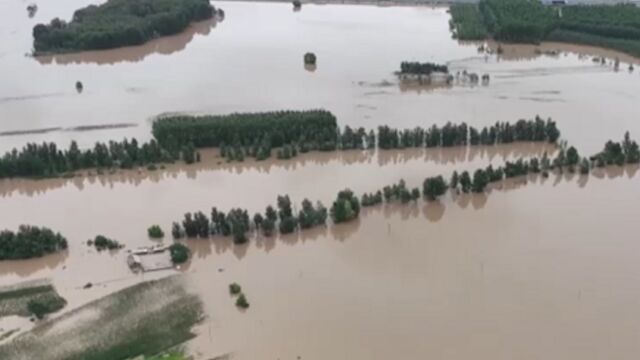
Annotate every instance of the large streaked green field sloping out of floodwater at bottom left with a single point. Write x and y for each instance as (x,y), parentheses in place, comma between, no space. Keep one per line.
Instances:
(144,319)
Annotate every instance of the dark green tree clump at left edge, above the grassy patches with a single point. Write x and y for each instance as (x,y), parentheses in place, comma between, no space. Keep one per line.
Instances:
(30,242)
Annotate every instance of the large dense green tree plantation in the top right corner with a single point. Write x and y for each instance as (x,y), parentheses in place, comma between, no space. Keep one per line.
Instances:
(530,21)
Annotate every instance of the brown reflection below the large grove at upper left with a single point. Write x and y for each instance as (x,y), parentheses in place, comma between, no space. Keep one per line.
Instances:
(164,46)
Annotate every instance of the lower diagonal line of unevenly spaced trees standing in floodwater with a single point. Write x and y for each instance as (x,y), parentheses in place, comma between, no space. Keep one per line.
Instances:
(283,218)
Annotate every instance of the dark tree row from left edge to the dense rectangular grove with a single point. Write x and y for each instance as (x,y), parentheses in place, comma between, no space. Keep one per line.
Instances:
(47,160)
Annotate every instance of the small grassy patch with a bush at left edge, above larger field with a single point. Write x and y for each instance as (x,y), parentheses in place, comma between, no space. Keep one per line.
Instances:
(37,299)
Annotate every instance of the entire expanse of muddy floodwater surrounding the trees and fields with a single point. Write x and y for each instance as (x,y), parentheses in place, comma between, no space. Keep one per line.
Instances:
(536,268)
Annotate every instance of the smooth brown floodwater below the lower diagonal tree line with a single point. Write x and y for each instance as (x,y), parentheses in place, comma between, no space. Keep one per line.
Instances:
(536,272)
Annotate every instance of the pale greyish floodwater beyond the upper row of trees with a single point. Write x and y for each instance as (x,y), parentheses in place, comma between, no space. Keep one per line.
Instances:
(252,61)
